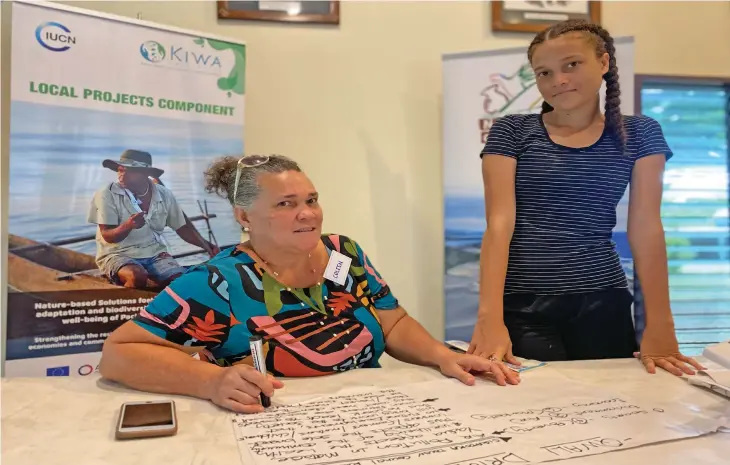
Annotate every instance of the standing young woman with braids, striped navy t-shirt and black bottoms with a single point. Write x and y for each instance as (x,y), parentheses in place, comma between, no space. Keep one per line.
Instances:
(552,285)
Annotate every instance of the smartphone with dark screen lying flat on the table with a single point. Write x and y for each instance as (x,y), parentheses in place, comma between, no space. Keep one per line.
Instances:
(147,419)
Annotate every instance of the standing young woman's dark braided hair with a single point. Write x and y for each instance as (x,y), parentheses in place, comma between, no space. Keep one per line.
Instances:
(604,44)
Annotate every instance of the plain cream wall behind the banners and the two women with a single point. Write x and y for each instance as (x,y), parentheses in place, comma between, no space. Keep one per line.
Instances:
(361,111)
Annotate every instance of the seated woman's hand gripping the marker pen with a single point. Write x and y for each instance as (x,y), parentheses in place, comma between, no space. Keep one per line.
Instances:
(238,388)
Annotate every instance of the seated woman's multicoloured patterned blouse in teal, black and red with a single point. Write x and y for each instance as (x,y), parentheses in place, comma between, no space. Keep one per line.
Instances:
(307,332)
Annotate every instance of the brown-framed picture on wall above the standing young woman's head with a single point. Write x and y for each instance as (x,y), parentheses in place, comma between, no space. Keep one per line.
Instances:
(536,15)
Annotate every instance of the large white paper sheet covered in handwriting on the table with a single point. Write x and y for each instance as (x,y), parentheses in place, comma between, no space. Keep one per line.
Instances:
(445,422)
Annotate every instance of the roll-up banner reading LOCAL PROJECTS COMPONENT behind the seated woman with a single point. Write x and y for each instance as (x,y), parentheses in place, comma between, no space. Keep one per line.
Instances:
(91,93)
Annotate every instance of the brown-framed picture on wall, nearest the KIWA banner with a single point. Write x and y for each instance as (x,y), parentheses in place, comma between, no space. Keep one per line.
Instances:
(306,11)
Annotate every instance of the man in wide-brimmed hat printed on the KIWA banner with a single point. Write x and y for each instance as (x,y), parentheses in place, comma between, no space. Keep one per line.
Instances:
(131,214)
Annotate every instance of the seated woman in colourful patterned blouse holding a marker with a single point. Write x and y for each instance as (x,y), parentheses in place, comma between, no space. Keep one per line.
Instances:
(314,319)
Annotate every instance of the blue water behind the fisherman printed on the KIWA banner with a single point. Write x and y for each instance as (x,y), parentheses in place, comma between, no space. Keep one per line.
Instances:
(55,168)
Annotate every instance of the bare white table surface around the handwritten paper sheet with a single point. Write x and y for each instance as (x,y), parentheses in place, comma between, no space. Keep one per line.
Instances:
(71,420)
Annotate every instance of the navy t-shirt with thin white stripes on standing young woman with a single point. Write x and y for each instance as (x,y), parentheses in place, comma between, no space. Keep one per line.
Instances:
(566,202)
